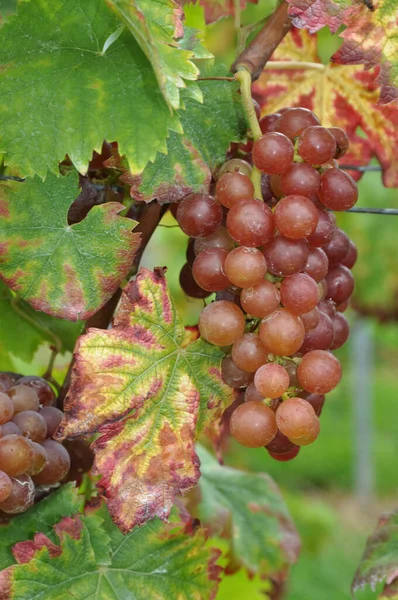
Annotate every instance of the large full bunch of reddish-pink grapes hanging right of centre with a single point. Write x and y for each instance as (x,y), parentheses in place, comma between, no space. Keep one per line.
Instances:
(281,270)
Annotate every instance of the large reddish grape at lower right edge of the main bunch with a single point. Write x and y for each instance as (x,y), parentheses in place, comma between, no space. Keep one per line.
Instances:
(319,372)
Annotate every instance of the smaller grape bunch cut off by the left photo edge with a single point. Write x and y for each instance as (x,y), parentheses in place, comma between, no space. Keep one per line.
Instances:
(29,458)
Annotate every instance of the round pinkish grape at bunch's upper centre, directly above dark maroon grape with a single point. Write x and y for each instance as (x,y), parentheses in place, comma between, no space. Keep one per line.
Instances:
(296,217)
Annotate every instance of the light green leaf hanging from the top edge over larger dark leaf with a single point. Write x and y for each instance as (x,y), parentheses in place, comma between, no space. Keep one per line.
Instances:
(158,29)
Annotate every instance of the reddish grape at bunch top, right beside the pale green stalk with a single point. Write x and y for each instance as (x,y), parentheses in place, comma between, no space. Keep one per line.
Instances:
(273,153)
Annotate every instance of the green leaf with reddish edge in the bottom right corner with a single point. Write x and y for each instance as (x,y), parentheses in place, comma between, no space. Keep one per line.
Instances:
(379,562)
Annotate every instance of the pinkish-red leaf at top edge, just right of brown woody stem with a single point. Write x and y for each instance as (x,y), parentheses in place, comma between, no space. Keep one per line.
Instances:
(315,14)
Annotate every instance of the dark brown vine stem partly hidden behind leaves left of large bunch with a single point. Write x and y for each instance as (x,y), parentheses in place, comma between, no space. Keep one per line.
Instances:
(148,220)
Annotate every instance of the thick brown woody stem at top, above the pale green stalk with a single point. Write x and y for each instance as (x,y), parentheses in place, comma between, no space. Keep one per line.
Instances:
(259,51)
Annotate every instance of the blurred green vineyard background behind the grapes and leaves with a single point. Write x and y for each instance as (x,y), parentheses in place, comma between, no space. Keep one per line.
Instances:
(332,515)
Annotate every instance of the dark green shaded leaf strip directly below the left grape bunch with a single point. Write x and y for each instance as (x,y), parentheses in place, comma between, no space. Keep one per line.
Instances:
(61,503)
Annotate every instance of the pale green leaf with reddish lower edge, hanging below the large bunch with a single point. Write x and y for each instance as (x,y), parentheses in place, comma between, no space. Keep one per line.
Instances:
(249,509)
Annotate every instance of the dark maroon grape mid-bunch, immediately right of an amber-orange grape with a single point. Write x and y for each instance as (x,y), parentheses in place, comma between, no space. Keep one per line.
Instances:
(285,256)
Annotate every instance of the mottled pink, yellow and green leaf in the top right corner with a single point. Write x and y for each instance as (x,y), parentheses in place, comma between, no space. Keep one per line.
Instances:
(371,39)
